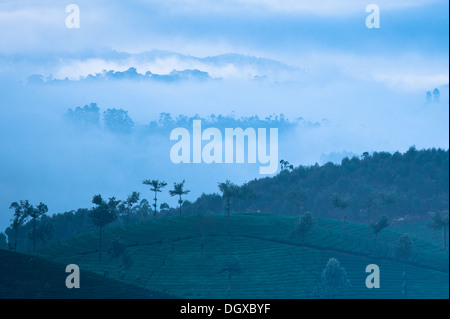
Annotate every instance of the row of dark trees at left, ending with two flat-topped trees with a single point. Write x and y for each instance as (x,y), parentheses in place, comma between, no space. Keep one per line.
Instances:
(104,213)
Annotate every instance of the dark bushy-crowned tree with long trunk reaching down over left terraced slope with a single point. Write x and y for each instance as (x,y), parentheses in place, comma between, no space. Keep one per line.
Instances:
(103,214)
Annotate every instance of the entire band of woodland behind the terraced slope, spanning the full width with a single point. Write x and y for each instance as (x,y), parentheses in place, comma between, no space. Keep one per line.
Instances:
(410,186)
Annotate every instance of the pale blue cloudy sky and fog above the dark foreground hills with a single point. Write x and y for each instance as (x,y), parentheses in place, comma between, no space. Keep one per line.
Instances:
(317,60)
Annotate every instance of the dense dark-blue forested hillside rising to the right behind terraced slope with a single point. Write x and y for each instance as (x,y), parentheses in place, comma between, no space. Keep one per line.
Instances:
(408,185)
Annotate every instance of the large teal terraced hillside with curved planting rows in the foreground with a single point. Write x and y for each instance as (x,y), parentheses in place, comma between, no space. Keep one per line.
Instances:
(166,256)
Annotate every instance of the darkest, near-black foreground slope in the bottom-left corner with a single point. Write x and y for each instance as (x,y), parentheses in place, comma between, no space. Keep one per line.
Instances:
(27,277)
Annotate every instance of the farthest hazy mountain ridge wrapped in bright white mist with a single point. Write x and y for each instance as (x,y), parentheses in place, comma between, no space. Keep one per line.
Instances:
(169,66)
